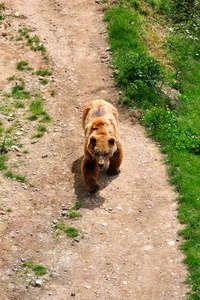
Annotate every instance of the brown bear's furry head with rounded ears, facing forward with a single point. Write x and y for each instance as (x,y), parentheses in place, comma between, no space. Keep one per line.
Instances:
(101,147)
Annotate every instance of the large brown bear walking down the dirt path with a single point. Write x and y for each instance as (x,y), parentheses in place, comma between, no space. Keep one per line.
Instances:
(102,143)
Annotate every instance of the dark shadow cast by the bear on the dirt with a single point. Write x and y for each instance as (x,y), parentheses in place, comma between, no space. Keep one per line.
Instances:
(89,201)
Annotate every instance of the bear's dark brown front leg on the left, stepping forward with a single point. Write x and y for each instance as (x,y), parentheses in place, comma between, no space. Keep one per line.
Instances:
(90,173)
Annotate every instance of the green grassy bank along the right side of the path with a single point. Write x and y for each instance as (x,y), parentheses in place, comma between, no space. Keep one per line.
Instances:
(156,53)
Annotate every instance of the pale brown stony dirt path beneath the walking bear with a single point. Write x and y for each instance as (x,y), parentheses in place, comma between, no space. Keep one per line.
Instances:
(127,247)
